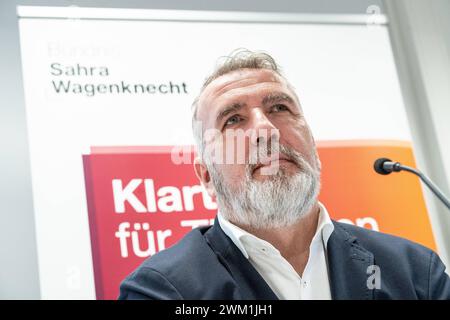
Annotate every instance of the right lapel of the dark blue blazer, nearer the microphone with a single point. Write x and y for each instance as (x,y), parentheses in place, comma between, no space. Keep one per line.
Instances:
(348,266)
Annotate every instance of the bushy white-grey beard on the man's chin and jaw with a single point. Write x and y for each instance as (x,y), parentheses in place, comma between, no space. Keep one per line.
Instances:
(278,201)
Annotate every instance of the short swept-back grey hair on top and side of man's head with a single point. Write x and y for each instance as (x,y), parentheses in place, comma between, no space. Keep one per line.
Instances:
(238,59)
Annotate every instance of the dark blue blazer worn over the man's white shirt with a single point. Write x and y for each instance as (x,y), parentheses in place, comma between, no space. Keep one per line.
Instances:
(206,264)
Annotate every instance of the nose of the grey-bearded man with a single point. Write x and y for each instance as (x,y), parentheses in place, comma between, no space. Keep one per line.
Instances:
(263,130)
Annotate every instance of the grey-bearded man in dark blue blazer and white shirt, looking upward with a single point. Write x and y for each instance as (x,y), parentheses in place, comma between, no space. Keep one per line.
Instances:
(272,238)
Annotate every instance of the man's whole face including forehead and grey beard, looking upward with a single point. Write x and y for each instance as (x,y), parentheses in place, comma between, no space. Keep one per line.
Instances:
(263,106)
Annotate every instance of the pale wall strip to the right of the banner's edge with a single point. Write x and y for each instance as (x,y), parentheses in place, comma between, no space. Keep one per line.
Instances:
(420,37)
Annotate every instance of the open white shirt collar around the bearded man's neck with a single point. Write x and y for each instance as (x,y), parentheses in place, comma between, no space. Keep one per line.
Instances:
(246,241)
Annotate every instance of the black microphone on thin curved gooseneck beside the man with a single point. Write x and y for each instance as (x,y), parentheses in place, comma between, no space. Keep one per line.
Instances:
(386,166)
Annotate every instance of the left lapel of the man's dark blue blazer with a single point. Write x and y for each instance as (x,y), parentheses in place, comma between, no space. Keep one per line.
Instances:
(251,284)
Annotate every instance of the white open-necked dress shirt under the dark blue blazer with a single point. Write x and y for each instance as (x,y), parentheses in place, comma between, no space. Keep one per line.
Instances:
(279,274)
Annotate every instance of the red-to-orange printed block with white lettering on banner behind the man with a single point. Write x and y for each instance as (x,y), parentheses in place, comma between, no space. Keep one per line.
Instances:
(140,201)
